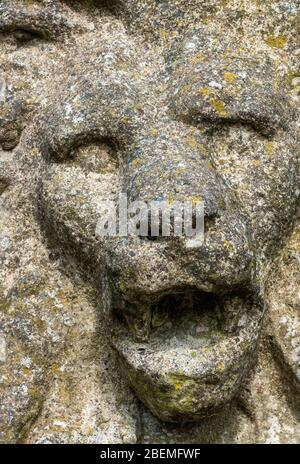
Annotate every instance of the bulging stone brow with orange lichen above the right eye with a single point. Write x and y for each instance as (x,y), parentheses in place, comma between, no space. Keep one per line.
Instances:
(239,90)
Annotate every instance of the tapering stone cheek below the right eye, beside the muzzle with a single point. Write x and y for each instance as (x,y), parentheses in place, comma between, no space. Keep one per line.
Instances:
(263,174)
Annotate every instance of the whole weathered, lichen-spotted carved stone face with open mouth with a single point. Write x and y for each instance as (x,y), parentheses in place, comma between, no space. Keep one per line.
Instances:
(209,118)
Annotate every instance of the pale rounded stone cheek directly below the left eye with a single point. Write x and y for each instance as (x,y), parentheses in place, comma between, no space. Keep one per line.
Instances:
(71,199)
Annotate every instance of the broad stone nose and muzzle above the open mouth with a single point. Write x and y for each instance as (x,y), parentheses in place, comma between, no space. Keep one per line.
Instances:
(166,168)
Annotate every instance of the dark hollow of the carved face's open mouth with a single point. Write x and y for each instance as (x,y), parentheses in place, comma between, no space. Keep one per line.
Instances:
(185,317)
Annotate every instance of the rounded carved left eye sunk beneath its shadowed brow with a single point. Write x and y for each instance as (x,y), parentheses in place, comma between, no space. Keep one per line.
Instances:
(99,157)
